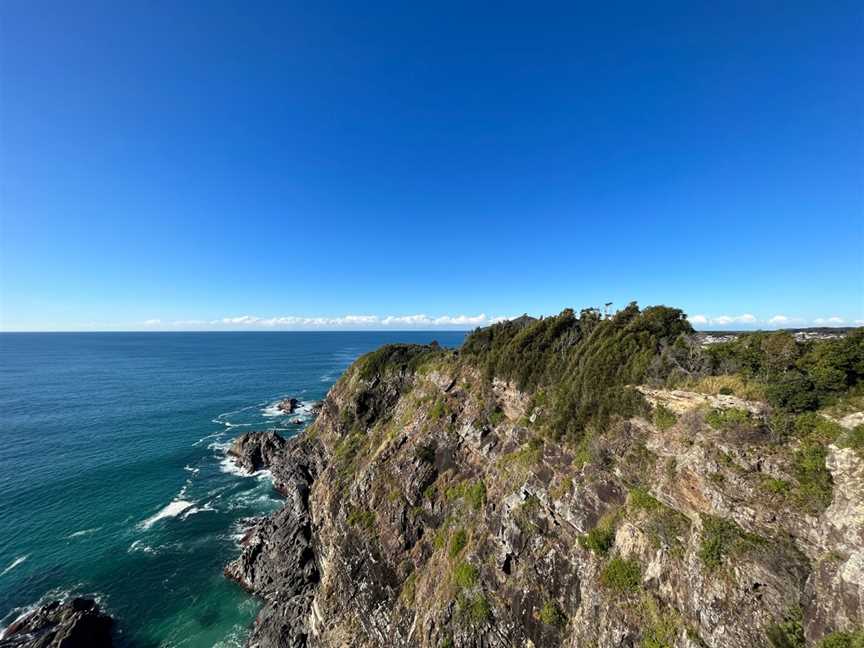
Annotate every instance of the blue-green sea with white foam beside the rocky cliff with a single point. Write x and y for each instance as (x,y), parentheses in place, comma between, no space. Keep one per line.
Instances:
(113,476)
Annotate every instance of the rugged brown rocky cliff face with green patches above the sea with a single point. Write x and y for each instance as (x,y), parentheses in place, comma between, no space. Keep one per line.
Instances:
(424,508)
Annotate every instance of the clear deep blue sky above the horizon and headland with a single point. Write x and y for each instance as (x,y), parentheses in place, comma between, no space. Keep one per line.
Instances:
(171,165)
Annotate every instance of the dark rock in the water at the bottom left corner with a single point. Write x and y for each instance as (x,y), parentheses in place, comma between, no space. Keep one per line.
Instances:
(76,623)
